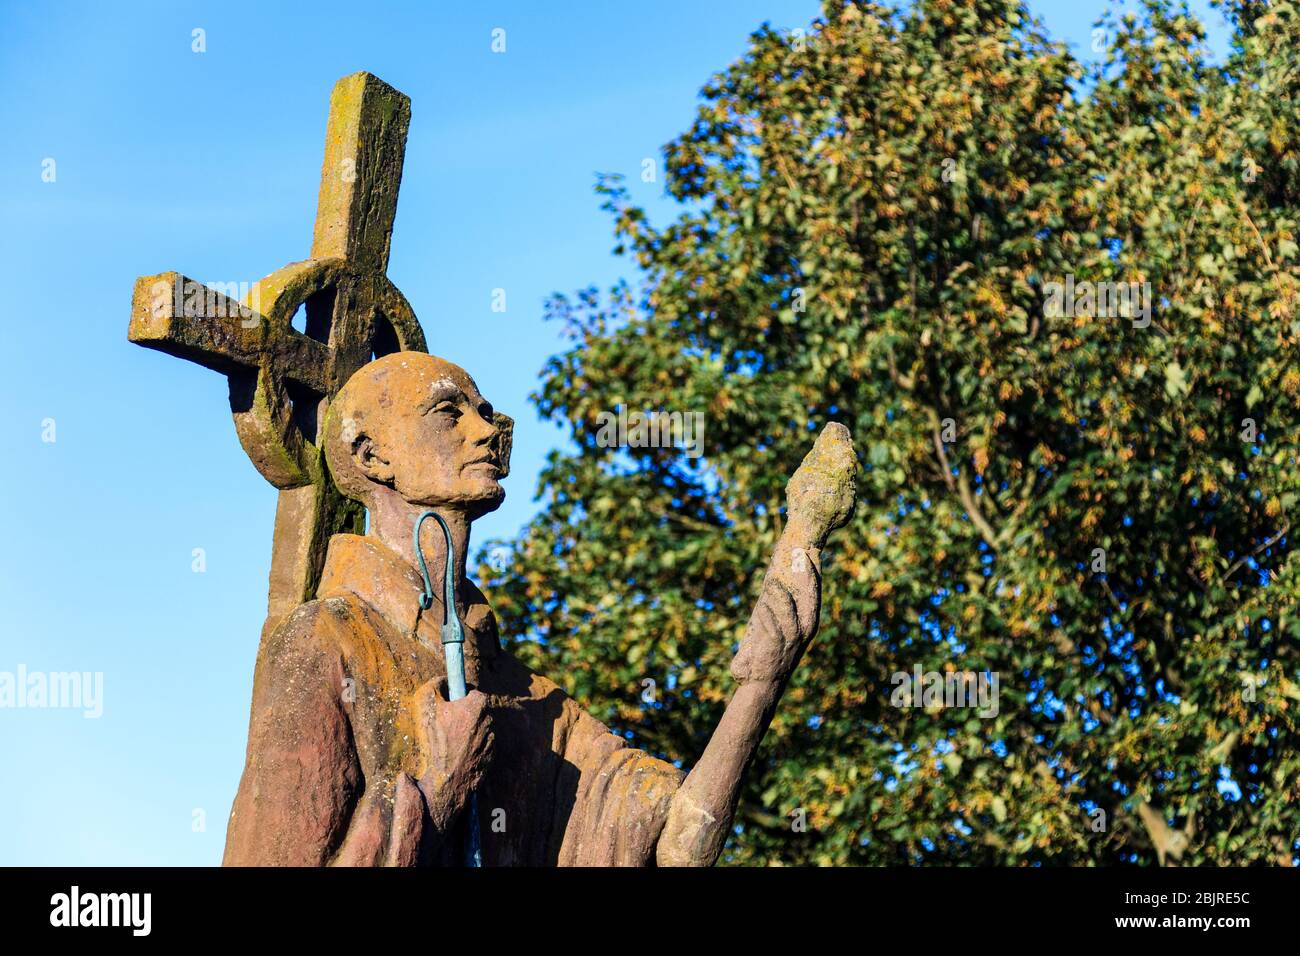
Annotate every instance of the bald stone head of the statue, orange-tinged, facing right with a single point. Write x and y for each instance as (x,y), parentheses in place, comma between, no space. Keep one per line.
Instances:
(418,425)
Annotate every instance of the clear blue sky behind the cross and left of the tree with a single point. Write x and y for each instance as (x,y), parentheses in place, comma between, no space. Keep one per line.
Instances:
(209,163)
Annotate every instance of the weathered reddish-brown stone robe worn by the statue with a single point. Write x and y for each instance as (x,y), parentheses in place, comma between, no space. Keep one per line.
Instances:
(336,758)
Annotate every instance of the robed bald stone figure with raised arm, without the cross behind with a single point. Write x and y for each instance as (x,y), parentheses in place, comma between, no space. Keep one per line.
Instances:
(356,758)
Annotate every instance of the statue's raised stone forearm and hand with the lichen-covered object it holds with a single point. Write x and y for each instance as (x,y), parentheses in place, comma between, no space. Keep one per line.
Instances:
(820,499)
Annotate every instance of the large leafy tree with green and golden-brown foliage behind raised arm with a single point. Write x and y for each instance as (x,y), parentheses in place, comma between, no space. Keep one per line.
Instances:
(898,222)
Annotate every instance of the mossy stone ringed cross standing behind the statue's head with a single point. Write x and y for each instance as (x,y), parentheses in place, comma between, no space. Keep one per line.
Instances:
(283,380)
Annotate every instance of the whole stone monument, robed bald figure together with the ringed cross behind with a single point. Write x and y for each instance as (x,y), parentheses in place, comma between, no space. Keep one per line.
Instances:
(356,754)
